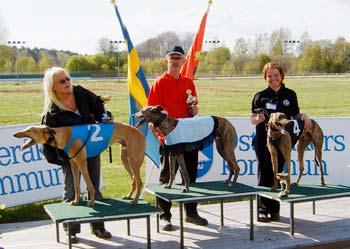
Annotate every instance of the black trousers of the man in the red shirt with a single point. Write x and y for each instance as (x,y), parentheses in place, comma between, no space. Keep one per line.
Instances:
(191,160)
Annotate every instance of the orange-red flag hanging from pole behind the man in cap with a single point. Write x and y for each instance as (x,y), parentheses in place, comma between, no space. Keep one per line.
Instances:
(192,58)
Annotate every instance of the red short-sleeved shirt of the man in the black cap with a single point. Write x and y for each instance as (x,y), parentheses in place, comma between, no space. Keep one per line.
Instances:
(171,94)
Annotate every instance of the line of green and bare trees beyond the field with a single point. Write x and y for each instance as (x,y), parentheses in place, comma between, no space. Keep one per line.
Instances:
(247,56)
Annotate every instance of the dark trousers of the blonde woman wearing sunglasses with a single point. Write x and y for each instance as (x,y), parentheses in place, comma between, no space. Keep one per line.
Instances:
(94,168)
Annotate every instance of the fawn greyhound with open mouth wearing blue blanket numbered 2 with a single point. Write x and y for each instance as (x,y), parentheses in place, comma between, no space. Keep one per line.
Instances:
(132,143)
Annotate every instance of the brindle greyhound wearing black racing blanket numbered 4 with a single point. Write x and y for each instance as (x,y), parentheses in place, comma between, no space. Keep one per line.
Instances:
(282,135)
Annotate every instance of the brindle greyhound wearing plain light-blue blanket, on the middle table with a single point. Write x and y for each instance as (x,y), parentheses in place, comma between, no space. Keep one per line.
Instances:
(179,138)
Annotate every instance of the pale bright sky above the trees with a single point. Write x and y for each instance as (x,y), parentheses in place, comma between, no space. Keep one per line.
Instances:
(77,25)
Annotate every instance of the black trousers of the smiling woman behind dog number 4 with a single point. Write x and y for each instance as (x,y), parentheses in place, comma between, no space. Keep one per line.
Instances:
(265,172)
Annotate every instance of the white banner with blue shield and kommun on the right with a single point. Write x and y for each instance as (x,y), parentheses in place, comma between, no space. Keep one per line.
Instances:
(335,159)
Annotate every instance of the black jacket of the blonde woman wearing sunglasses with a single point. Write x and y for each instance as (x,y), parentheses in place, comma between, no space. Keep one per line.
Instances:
(91,110)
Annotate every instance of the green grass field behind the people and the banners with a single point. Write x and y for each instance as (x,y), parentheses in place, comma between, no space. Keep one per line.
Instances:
(22,104)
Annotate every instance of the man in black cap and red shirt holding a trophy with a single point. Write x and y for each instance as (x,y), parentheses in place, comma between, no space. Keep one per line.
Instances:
(172,90)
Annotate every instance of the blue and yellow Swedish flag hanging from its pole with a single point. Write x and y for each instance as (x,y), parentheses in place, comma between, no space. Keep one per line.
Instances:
(138,92)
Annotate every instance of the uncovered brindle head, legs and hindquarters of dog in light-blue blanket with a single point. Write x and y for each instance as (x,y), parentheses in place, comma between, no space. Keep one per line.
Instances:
(225,138)
